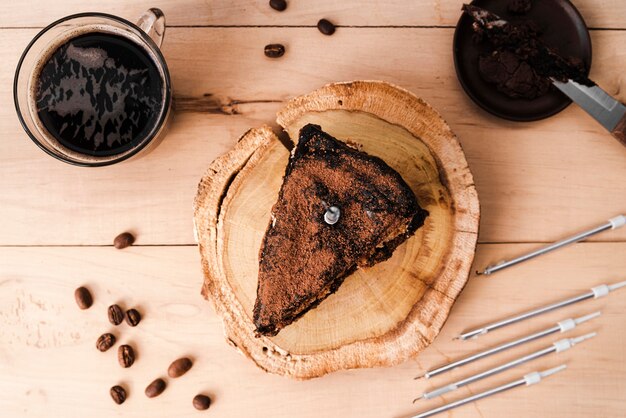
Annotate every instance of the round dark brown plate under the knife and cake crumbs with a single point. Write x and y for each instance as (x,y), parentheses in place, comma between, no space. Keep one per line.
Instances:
(563,29)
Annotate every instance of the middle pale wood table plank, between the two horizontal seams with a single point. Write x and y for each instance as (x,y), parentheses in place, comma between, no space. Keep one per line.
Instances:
(228,86)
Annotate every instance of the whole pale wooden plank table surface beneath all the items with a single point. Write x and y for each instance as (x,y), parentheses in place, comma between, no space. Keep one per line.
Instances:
(537,182)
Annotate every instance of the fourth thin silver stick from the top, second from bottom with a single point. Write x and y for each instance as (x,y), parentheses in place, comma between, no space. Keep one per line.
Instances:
(556,347)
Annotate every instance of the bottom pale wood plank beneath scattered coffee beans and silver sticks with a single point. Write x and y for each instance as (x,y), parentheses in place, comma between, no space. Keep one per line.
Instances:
(49,365)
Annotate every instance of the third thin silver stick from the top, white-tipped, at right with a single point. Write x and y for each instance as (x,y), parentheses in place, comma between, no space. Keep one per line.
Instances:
(561,326)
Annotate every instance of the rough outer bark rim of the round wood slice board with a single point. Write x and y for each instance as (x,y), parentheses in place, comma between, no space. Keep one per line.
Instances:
(395,106)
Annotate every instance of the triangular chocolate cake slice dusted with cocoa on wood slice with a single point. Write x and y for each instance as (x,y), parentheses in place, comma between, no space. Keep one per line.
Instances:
(338,209)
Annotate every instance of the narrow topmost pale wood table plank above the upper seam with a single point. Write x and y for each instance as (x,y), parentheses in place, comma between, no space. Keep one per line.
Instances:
(597,13)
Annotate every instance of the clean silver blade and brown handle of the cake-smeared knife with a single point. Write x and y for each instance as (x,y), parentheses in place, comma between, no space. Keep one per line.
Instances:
(601,106)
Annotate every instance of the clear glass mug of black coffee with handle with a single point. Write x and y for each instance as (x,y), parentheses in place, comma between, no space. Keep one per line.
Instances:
(93,89)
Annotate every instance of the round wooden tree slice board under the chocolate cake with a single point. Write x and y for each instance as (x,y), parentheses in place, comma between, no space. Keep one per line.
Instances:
(381,315)
